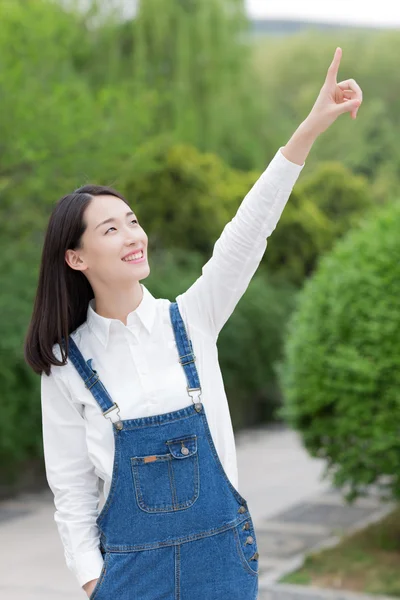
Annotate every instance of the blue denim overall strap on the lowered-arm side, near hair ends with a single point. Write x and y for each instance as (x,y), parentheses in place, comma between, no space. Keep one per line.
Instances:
(93,383)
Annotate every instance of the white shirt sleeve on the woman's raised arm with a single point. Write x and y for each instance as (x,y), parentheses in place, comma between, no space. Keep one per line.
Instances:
(210,301)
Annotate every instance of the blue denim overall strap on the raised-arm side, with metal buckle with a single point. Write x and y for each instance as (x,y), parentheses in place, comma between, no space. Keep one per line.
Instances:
(186,354)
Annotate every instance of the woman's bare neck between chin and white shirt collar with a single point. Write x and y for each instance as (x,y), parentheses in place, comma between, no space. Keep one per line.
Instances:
(117,304)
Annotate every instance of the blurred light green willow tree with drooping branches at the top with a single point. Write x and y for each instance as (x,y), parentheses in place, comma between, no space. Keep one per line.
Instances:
(196,53)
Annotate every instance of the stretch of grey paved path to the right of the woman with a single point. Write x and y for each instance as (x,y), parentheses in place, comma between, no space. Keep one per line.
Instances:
(294,511)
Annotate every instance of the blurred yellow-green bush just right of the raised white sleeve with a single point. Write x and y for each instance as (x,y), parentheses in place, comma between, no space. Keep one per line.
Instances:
(323,206)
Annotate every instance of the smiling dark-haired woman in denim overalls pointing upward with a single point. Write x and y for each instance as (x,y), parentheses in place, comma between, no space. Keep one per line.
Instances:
(132,394)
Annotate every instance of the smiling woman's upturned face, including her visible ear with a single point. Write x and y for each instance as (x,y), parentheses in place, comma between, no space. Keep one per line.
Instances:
(112,233)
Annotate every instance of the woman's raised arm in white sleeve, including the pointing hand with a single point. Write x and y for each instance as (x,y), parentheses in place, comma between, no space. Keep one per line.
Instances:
(209,302)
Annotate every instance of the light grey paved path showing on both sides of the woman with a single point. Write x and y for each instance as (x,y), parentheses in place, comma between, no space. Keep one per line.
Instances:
(292,509)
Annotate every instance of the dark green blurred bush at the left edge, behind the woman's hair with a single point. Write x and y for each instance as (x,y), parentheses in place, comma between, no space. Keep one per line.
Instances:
(20,425)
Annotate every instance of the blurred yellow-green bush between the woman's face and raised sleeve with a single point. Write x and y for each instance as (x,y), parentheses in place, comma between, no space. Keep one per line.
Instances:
(183,197)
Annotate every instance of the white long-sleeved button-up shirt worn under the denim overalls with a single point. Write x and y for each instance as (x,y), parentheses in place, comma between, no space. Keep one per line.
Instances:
(139,365)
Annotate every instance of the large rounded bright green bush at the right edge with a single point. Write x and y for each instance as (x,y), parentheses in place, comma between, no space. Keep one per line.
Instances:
(340,375)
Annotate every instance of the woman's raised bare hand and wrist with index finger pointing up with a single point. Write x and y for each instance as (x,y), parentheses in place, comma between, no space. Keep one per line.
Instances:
(333,100)
